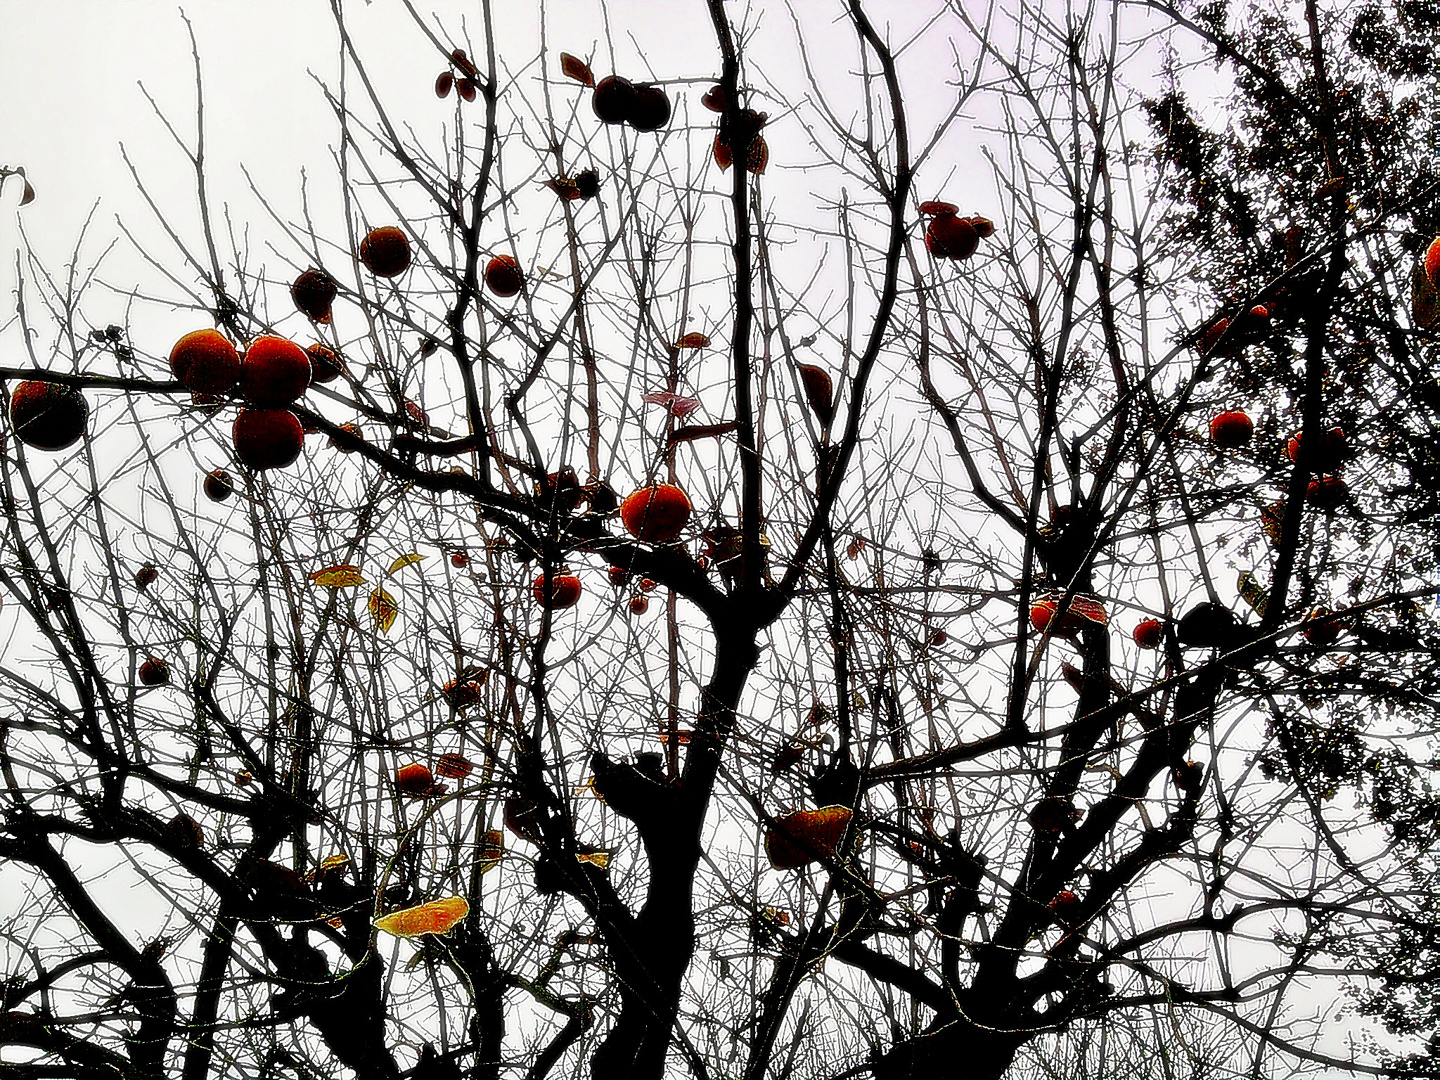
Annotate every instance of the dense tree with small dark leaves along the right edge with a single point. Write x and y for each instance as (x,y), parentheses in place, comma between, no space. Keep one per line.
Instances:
(1321,199)
